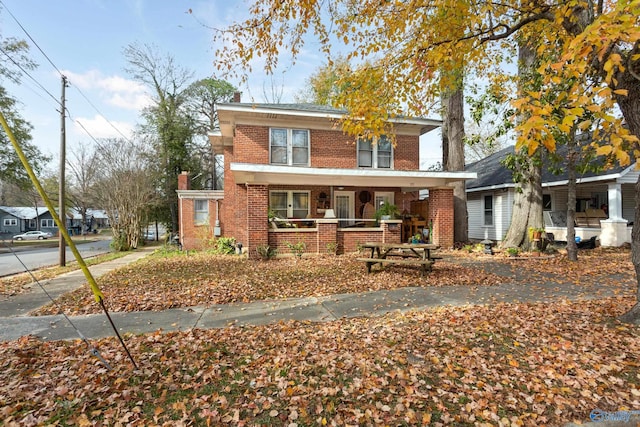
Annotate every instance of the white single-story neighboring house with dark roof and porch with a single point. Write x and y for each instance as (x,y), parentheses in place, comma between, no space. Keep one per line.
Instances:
(604,202)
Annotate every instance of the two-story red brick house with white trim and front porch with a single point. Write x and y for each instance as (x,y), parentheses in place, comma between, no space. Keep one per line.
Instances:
(293,161)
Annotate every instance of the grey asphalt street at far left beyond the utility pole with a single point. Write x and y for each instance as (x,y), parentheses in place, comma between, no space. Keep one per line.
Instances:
(10,263)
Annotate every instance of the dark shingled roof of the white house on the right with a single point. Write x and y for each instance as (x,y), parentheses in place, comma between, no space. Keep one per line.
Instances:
(493,174)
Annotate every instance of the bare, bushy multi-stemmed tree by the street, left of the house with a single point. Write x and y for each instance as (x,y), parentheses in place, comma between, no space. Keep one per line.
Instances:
(125,188)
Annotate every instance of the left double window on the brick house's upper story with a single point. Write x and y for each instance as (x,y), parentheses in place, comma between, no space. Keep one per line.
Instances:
(289,147)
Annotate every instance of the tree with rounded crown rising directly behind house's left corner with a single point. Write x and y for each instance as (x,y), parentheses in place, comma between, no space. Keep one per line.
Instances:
(202,98)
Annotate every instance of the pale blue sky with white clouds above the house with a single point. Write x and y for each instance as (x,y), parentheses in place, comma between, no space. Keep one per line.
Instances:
(85,39)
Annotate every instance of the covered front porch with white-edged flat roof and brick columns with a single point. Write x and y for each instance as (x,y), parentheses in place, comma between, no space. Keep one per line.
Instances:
(333,210)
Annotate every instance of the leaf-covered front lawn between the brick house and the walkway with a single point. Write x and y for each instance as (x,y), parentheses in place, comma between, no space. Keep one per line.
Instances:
(169,281)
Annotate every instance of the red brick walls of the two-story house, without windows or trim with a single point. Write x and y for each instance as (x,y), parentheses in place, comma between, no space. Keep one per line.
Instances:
(244,209)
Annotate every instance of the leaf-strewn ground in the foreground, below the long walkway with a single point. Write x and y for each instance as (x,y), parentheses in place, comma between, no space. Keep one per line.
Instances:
(506,364)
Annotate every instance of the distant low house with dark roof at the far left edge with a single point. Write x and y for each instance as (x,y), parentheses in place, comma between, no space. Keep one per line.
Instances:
(15,220)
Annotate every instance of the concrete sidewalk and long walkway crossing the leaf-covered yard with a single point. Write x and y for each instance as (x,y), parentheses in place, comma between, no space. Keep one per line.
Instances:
(15,321)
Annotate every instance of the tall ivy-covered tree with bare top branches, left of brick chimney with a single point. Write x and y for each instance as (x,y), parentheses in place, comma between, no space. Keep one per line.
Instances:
(167,124)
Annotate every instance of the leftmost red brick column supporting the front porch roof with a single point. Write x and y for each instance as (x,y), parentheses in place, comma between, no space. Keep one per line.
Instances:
(257,219)
